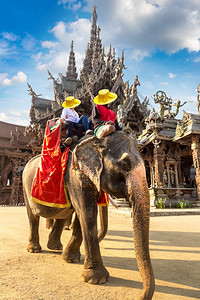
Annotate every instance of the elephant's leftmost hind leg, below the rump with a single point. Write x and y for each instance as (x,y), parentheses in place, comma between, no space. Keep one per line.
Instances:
(34,245)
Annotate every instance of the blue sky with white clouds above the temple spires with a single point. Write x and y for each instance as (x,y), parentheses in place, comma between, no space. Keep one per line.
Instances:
(161,40)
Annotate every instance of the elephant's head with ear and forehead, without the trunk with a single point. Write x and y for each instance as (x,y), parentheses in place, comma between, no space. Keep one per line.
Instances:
(110,163)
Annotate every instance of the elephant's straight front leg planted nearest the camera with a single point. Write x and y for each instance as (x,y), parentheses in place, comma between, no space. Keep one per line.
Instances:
(94,271)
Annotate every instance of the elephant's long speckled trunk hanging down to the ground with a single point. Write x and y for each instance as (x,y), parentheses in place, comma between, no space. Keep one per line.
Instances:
(139,196)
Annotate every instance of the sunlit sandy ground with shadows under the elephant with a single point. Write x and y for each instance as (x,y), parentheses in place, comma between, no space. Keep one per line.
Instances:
(175,253)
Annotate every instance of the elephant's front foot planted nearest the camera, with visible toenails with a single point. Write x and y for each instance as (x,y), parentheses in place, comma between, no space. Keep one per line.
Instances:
(98,275)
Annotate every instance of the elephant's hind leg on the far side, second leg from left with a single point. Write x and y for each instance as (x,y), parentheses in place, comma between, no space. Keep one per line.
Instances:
(54,242)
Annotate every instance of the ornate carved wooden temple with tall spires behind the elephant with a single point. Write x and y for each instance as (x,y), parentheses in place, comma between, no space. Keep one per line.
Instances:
(169,147)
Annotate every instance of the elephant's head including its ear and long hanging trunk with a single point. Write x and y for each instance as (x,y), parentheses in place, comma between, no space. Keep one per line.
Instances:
(115,165)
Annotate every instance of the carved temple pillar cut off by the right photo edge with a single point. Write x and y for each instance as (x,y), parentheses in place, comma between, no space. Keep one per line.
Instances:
(195,146)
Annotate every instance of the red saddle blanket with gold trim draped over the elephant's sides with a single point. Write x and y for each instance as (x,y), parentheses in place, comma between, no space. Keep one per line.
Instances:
(48,185)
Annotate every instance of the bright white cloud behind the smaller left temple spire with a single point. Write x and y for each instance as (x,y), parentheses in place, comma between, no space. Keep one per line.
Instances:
(56,59)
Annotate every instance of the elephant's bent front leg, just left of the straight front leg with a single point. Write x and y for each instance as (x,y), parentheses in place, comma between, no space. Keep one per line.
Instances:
(71,254)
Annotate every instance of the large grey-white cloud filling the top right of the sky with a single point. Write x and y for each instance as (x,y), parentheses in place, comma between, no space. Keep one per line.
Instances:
(150,25)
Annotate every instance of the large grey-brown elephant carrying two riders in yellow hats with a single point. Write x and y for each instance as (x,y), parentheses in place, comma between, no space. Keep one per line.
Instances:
(113,164)
